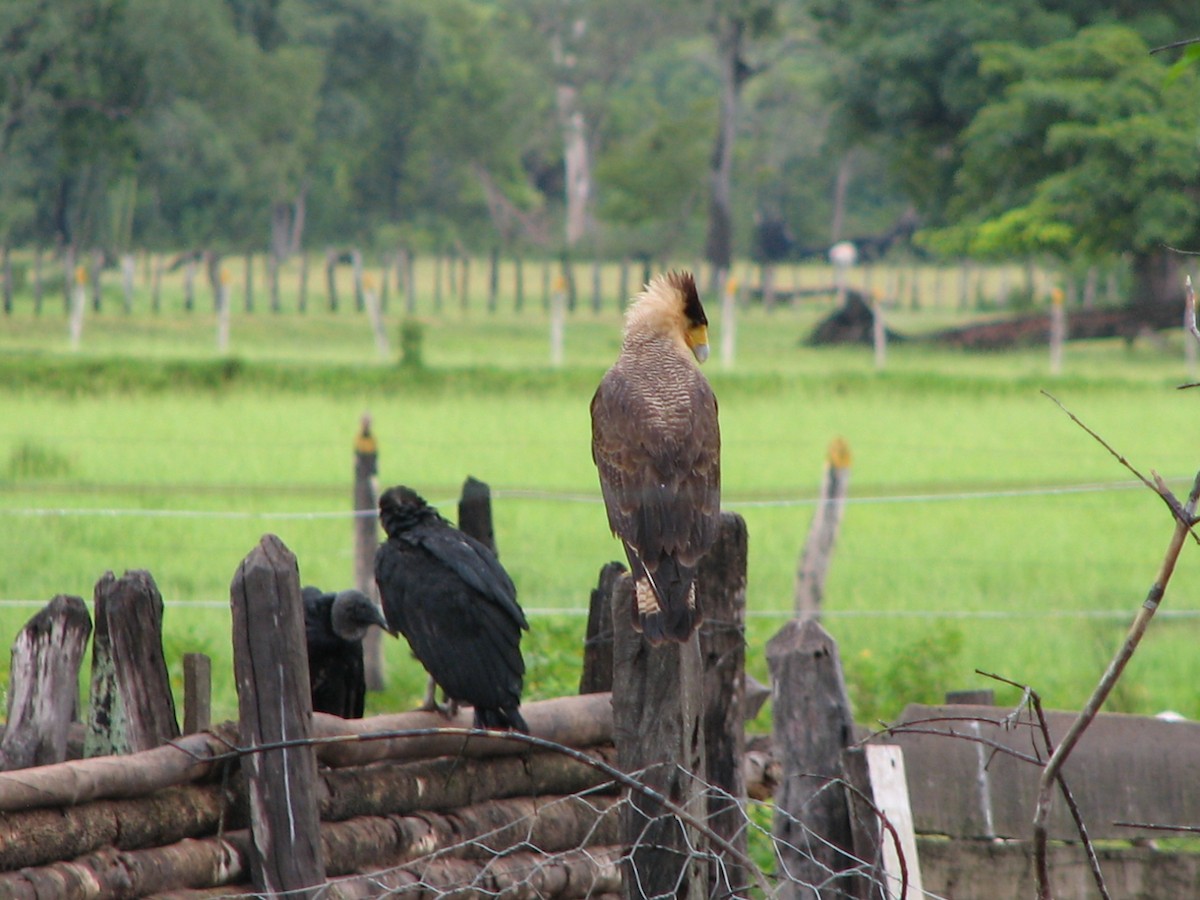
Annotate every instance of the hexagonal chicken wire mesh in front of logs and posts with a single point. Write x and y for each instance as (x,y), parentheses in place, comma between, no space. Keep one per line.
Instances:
(704,845)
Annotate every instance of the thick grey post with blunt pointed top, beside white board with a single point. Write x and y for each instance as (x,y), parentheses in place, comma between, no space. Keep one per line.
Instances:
(813,725)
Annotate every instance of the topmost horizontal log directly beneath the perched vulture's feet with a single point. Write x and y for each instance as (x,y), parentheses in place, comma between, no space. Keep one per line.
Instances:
(573,722)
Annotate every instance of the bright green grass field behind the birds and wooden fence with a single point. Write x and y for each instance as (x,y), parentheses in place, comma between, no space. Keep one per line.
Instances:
(986,530)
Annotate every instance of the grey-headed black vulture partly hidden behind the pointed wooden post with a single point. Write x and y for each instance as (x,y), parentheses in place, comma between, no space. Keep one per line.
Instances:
(335,626)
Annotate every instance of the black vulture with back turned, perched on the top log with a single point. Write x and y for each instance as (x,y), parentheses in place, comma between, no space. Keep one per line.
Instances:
(451,597)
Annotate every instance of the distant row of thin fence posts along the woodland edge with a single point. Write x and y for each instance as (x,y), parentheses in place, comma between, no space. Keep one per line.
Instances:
(409,283)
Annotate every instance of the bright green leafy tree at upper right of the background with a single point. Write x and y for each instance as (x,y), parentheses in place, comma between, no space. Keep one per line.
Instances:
(1089,152)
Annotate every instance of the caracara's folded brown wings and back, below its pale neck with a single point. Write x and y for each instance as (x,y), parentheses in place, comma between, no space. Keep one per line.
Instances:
(659,464)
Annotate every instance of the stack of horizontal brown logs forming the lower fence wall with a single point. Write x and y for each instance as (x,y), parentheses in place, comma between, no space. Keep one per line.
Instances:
(175,821)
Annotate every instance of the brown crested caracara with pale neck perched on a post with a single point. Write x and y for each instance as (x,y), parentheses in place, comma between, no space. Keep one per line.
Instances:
(658,448)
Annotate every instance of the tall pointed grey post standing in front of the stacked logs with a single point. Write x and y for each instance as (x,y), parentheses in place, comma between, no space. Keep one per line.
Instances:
(275,705)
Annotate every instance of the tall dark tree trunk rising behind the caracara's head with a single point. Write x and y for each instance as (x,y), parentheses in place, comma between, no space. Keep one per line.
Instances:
(729,32)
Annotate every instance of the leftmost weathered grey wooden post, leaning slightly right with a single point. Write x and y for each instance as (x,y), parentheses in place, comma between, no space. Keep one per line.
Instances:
(44,685)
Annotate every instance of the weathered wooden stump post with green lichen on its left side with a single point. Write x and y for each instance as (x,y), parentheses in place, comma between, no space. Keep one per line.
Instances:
(133,707)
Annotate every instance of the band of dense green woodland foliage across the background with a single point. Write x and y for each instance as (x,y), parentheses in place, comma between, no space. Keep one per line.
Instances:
(1027,128)
